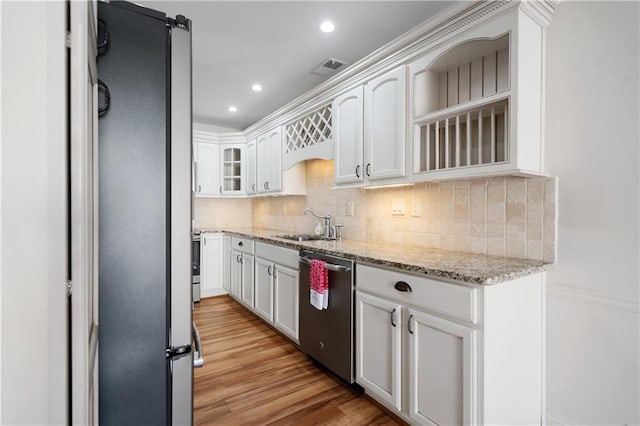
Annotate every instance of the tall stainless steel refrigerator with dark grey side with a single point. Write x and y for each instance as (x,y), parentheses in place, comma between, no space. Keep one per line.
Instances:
(145,309)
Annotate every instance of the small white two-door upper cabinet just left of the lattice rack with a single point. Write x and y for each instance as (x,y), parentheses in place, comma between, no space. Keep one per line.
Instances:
(269,149)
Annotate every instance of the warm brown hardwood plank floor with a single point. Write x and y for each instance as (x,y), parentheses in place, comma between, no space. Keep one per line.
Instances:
(254,376)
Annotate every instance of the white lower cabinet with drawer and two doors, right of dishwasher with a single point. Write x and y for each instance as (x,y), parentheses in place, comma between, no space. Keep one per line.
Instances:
(438,352)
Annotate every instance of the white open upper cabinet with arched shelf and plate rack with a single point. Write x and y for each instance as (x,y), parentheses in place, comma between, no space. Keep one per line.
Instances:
(475,102)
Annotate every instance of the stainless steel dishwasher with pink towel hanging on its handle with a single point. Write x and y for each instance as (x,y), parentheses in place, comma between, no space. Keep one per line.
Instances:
(327,335)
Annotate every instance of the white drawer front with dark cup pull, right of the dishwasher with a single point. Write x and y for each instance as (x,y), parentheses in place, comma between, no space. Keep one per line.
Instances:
(457,301)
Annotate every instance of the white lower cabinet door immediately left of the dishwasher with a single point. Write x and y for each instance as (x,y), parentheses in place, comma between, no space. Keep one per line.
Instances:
(286,289)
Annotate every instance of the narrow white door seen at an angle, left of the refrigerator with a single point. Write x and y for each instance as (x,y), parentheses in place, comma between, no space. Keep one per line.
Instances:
(83,212)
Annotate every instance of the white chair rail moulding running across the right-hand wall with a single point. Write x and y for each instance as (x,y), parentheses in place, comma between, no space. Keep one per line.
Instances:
(592,297)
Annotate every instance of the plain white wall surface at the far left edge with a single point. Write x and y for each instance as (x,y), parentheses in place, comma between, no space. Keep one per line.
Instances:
(33,218)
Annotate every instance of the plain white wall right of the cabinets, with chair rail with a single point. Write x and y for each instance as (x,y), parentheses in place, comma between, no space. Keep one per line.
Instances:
(592,145)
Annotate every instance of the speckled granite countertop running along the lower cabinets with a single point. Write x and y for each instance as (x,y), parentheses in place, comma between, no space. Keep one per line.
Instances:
(440,264)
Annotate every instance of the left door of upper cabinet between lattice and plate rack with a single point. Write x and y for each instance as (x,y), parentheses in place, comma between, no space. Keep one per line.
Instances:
(348,134)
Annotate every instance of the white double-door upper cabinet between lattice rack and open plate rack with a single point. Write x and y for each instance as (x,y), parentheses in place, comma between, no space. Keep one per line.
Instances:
(370,130)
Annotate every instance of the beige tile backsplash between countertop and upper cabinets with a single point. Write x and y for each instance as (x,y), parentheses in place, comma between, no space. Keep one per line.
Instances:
(511,216)
